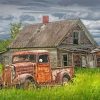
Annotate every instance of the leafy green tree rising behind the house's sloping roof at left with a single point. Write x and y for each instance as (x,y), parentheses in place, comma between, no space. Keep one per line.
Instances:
(15,29)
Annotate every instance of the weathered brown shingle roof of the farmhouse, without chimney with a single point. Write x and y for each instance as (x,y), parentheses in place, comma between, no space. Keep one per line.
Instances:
(44,35)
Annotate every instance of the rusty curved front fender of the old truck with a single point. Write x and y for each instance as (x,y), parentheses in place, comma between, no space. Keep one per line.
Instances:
(21,78)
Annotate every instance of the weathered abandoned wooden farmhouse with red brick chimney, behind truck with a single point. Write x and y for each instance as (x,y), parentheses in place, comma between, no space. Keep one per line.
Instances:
(68,42)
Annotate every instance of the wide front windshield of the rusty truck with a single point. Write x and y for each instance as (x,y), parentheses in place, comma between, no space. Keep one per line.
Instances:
(24,58)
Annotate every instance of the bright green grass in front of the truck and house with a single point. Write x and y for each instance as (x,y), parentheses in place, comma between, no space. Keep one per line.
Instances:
(85,86)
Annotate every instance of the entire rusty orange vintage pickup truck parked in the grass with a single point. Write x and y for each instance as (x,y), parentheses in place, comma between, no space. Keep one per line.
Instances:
(34,67)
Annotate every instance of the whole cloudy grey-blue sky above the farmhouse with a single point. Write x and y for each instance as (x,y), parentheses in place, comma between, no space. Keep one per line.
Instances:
(31,11)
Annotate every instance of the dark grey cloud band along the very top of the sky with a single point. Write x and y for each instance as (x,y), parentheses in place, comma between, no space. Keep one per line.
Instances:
(52,2)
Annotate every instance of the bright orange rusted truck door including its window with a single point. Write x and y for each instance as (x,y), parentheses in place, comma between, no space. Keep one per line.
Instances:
(43,69)
